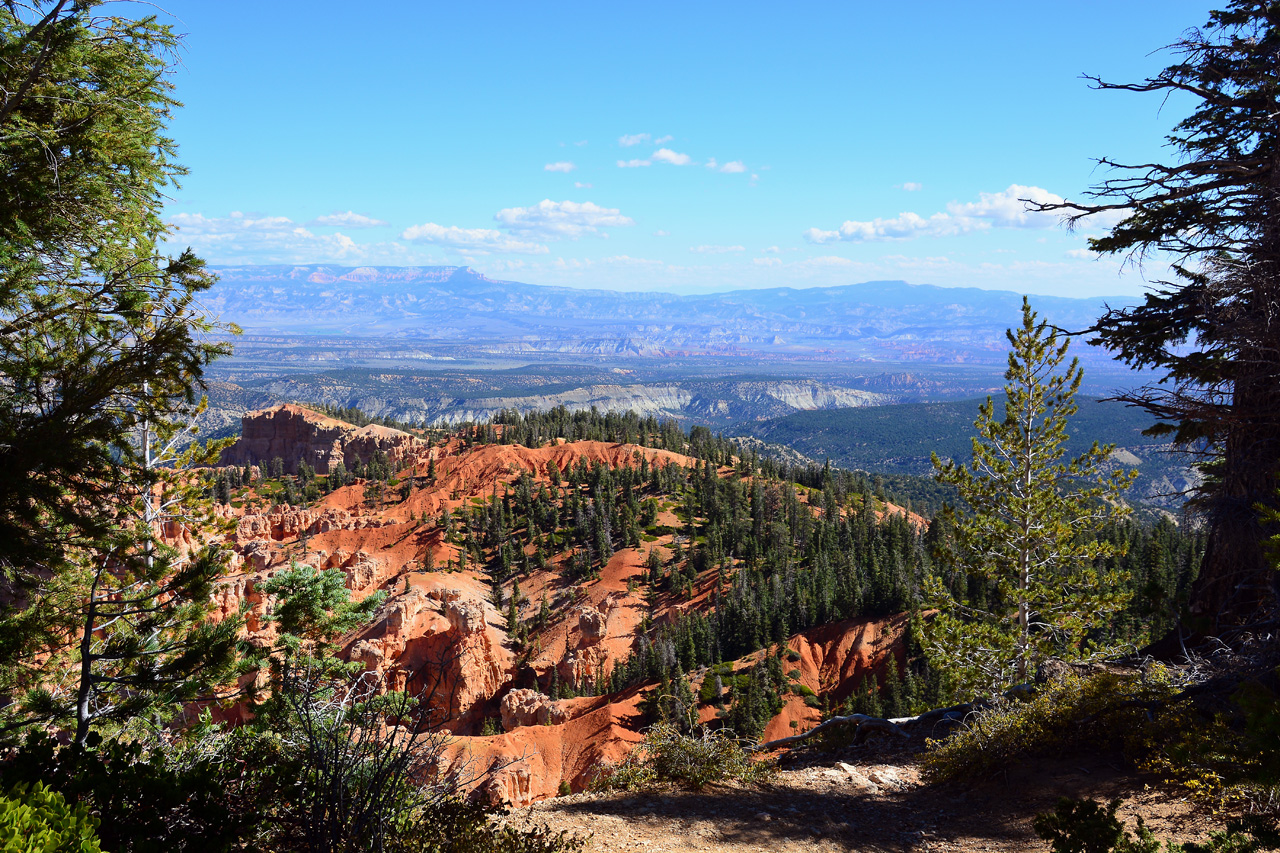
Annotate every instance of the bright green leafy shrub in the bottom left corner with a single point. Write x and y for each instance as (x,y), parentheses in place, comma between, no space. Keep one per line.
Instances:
(38,820)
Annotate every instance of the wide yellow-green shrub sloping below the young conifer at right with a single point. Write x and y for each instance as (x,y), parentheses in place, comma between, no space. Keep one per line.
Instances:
(1075,713)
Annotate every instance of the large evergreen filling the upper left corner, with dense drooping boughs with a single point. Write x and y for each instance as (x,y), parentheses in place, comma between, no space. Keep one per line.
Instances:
(99,331)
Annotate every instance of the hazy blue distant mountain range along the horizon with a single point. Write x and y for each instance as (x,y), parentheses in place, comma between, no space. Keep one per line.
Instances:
(879,321)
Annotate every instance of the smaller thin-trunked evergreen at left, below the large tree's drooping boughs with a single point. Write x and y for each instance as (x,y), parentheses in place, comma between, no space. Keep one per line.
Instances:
(121,631)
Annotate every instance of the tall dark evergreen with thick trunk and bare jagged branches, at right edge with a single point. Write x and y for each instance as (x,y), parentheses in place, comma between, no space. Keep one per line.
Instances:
(1212,331)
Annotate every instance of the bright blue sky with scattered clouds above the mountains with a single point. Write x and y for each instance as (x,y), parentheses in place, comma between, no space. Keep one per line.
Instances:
(666,147)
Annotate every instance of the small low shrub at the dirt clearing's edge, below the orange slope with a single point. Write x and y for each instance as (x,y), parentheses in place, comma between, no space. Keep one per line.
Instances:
(669,756)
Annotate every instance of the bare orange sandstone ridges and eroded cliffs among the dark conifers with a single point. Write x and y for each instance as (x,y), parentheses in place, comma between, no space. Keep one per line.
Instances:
(440,628)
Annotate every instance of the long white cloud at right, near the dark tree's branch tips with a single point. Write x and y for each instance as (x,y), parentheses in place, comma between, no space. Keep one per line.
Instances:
(1004,209)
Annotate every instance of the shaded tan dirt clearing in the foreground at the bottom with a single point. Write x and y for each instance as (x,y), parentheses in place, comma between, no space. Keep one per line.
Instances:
(861,801)
